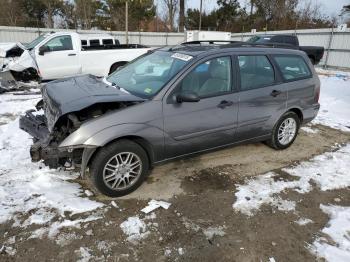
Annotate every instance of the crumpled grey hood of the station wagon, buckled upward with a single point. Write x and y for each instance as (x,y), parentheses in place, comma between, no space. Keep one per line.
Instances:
(76,93)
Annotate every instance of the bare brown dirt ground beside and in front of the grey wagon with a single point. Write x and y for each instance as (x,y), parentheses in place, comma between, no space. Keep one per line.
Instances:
(201,193)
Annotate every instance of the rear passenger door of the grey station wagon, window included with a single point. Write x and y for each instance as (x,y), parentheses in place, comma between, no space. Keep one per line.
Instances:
(262,95)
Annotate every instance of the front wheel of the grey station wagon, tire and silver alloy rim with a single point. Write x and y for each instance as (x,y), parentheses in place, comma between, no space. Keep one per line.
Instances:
(119,168)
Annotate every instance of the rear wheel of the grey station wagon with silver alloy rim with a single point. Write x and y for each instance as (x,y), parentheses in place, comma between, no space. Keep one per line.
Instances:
(285,131)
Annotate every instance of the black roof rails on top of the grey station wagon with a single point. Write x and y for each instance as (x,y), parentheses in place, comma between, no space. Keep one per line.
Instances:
(230,43)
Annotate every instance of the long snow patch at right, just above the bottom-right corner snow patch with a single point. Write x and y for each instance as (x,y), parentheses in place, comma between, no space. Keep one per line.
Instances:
(329,171)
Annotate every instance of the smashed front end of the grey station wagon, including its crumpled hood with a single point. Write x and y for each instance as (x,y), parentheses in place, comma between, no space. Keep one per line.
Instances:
(66,105)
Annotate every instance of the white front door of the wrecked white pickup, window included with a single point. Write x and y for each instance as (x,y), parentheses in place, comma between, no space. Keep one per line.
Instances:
(61,60)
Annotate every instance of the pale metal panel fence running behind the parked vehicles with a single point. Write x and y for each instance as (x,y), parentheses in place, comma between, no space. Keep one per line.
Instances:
(336,44)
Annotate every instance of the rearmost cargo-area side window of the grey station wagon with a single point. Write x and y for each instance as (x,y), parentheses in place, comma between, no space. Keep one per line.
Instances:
(292,67)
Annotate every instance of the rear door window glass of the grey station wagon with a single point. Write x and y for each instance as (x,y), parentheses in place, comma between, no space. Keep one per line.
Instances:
(255,71)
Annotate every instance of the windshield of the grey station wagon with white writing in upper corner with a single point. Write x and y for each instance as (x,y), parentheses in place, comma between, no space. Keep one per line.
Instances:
(147,75)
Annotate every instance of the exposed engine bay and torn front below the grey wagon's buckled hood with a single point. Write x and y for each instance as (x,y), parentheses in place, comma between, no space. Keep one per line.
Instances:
(45,146)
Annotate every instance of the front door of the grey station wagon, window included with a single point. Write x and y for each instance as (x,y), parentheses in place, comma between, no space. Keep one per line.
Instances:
(211,122)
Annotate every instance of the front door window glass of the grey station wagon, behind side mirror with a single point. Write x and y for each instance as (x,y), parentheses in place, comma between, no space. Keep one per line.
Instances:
(210,78)
